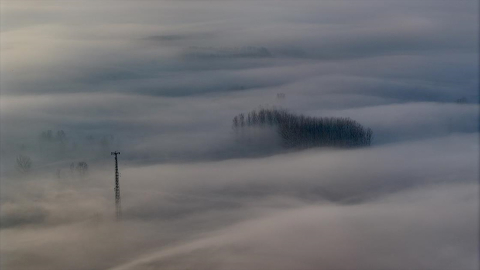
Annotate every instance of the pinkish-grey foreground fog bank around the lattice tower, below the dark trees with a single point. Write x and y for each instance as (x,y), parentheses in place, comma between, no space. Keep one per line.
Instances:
(388,207)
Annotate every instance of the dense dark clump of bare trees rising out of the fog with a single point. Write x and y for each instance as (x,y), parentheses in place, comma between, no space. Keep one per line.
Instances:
(299,131)
